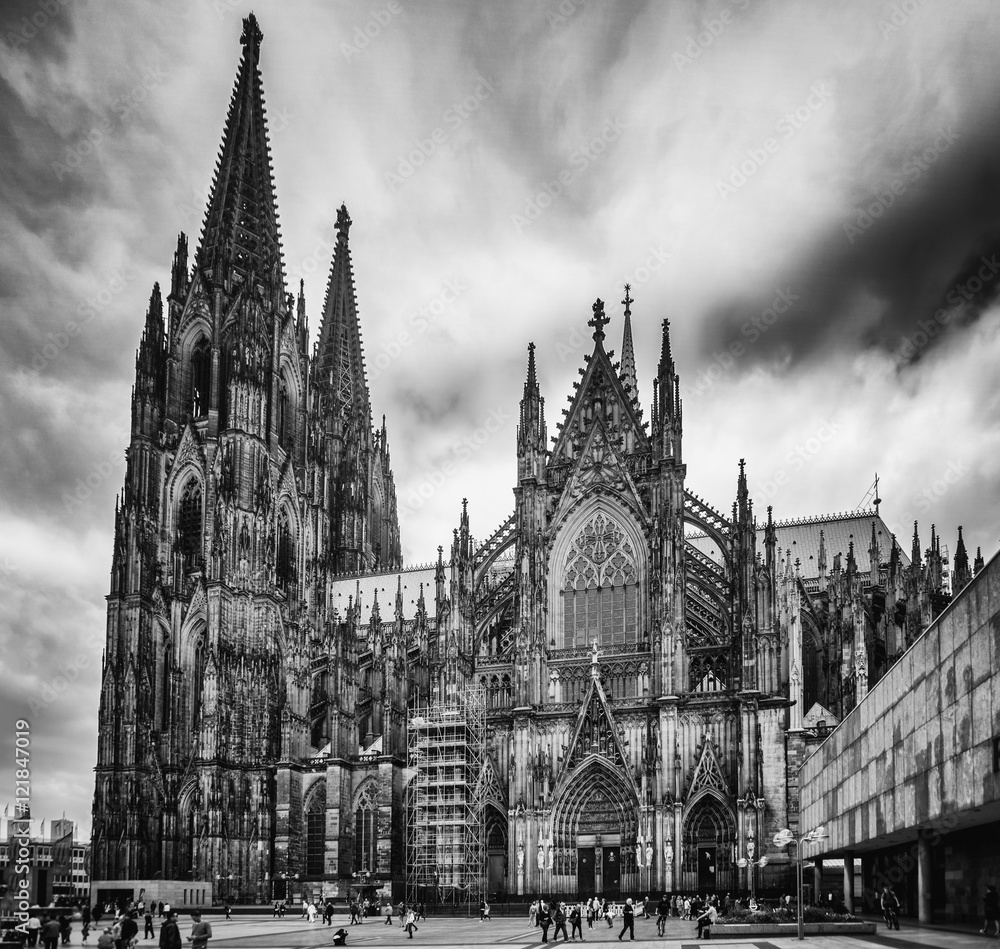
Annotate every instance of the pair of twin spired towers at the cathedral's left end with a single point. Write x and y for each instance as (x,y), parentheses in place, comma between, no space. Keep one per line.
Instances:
(254,477)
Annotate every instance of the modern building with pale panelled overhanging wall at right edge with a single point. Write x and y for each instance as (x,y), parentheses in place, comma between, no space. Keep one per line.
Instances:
(916,758)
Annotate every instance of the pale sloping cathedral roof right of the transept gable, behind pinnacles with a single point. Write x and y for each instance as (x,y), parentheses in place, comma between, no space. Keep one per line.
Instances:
(802,536)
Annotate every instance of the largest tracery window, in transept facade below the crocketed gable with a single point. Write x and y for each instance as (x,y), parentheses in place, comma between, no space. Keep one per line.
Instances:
(600,586)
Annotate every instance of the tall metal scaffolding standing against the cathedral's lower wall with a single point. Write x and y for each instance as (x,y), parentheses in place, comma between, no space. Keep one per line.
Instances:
(445,851)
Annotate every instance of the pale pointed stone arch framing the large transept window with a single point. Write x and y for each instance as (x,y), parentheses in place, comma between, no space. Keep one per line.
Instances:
(569,534)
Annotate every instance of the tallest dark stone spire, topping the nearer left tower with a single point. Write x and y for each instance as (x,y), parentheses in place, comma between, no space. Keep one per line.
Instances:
(240,235)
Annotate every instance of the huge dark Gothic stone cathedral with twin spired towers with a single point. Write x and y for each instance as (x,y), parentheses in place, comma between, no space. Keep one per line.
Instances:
(652,670)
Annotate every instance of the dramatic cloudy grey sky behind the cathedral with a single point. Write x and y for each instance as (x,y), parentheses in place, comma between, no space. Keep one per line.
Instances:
(808,192)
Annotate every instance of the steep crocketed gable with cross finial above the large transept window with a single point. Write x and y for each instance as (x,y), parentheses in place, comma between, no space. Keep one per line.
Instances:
(601,398)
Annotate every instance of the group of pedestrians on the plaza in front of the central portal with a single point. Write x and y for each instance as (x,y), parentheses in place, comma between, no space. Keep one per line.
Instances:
(547,913)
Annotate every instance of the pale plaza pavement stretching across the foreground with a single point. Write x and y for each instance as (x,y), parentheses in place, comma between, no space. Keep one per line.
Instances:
(253,931)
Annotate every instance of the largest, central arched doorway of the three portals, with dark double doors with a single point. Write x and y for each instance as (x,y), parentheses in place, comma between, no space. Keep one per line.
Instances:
(594,827)
